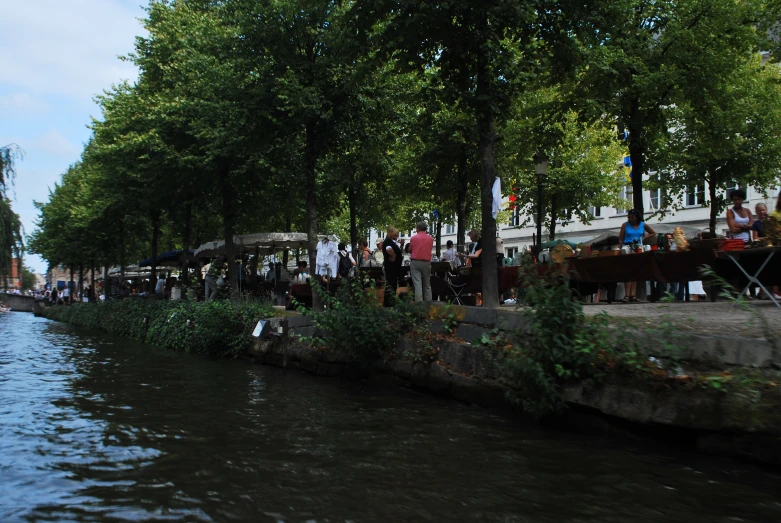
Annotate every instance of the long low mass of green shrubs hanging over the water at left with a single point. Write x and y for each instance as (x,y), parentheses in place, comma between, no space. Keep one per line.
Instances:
(220,328)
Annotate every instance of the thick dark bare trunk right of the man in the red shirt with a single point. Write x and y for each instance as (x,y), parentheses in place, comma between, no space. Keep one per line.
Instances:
(487,138)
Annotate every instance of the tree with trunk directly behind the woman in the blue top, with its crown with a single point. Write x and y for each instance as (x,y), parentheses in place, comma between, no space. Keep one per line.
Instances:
(645,55)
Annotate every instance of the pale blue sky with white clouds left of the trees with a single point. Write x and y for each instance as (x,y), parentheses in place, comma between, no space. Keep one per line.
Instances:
(55,56)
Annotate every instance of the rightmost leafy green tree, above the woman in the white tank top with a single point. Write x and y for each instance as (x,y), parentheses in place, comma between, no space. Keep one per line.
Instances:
(729,135)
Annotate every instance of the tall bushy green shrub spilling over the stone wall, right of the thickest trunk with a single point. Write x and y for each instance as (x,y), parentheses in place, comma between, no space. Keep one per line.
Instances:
(559,343)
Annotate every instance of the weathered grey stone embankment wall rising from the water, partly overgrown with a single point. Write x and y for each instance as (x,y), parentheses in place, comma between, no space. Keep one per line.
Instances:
(726,423)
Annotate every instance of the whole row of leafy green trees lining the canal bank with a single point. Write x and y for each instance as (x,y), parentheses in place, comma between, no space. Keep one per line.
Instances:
(343,116)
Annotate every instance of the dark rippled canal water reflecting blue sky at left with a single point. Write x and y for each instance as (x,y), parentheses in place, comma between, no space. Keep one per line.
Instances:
(102,429)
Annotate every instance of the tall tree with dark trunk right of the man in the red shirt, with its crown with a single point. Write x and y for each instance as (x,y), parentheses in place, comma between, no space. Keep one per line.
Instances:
(481,52)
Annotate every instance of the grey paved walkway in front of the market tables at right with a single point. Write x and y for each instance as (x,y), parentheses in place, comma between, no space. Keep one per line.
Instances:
(700,316)
